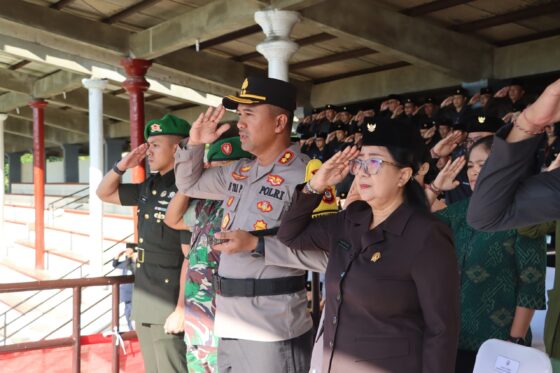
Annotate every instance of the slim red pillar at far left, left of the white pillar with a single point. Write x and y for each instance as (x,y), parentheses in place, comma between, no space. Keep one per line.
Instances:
(38,106)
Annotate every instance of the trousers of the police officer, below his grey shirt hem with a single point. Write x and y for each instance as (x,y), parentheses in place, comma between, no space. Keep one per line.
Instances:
(243,356)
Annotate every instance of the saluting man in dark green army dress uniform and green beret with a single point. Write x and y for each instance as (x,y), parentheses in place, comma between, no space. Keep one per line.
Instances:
(157,284)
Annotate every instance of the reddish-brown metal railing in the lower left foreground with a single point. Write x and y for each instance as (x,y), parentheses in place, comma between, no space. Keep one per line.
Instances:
(76,285)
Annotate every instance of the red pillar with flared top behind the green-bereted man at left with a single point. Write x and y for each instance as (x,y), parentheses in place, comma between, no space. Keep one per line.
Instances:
(136,84)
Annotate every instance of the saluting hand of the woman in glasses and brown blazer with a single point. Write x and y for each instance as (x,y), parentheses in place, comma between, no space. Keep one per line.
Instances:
(334,170)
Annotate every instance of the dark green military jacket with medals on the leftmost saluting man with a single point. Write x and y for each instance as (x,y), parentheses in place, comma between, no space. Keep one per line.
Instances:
(156,287)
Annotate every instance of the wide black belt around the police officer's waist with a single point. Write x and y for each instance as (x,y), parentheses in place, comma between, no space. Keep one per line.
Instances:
(251,287)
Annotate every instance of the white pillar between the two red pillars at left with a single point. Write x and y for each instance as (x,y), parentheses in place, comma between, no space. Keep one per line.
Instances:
(95,88)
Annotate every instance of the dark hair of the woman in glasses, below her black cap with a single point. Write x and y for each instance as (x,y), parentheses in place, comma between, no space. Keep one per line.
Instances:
(414,194)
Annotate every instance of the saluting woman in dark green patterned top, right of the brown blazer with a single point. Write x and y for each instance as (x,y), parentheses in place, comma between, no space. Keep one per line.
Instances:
(502,273)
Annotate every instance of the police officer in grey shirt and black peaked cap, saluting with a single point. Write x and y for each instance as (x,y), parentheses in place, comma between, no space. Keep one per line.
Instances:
(261,313)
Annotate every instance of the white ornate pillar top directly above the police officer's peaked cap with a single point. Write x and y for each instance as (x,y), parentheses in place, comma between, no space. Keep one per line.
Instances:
(277,48)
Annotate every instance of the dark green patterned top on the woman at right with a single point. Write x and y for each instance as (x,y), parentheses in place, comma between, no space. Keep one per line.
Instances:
(499,272)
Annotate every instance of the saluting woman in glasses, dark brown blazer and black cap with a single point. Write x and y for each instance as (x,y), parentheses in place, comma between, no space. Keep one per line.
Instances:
(392,281)
